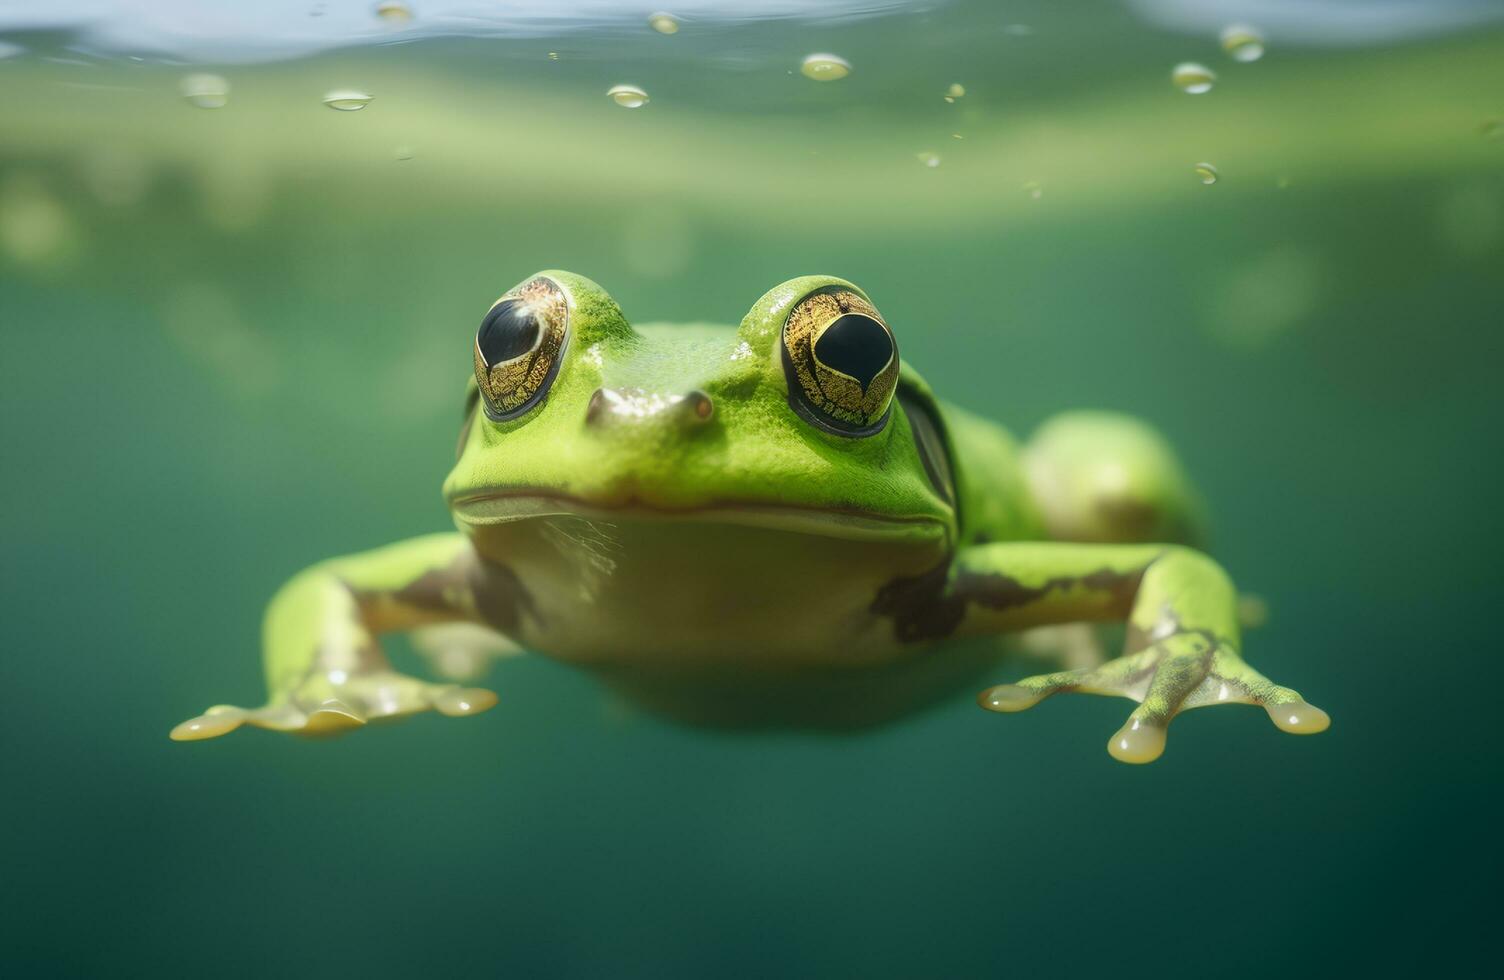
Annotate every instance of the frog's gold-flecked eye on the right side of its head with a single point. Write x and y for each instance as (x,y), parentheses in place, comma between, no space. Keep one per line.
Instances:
(841,363)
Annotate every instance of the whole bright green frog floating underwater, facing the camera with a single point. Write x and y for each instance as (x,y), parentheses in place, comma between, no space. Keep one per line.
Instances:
(775,525)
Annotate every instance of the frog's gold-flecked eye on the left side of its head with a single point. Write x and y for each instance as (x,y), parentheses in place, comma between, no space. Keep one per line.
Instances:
(520,346)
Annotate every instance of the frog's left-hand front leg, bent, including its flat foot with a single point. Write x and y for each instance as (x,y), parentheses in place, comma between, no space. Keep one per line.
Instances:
(326,670)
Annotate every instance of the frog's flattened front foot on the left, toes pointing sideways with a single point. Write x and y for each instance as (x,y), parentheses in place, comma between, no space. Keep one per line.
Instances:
(338,701)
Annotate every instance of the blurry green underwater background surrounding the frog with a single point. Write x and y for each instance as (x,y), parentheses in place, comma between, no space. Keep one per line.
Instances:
(235,342)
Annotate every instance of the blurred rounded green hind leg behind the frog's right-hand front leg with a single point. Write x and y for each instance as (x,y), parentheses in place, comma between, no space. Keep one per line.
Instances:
(1112,480)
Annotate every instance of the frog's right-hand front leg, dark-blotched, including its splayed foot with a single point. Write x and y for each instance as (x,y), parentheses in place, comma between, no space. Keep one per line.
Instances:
(1183,647)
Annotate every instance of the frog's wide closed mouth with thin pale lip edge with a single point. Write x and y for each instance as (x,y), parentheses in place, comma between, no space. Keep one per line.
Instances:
(511,506)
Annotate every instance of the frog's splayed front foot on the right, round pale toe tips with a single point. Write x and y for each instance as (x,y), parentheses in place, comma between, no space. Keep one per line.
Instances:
(1171,676)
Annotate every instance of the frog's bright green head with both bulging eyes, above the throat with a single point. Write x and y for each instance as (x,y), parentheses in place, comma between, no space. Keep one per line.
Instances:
(801,420)
